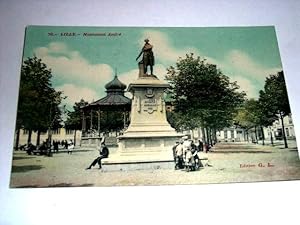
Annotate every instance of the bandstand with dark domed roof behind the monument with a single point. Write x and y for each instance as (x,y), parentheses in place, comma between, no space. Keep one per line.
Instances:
(99,112)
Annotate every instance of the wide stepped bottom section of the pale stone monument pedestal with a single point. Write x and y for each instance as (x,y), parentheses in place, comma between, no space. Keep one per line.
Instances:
(137,152)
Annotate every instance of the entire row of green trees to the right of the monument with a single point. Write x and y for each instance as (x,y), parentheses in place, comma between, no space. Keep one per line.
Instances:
(204,97)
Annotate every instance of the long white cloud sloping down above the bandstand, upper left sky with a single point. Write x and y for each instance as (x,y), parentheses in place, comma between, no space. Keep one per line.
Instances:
(71,66)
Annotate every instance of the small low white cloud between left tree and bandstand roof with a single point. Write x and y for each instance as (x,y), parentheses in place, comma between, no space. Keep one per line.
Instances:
(76,93)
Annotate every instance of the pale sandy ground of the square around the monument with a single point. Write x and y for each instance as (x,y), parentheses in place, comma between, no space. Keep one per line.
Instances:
(228,162)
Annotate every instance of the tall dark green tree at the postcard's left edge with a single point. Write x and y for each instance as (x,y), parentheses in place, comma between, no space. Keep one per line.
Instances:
(38,106)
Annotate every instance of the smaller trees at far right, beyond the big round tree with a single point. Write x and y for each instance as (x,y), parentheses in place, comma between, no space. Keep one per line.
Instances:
(272,105)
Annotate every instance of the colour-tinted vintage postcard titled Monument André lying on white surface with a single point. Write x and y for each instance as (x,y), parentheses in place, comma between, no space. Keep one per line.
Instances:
(123,106)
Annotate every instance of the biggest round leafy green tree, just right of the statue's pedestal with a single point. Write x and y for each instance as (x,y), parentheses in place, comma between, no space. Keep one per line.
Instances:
(202,95)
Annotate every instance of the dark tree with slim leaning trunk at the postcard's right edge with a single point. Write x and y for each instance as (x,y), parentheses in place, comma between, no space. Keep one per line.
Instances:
(274,100)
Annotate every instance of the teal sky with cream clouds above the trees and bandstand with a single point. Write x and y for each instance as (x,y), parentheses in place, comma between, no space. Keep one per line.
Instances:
(82,65)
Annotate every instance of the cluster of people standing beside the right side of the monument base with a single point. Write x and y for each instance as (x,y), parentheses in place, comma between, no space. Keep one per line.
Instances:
(185,153)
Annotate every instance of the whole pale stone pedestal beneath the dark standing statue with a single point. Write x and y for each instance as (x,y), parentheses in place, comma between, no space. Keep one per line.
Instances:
(149,137)
